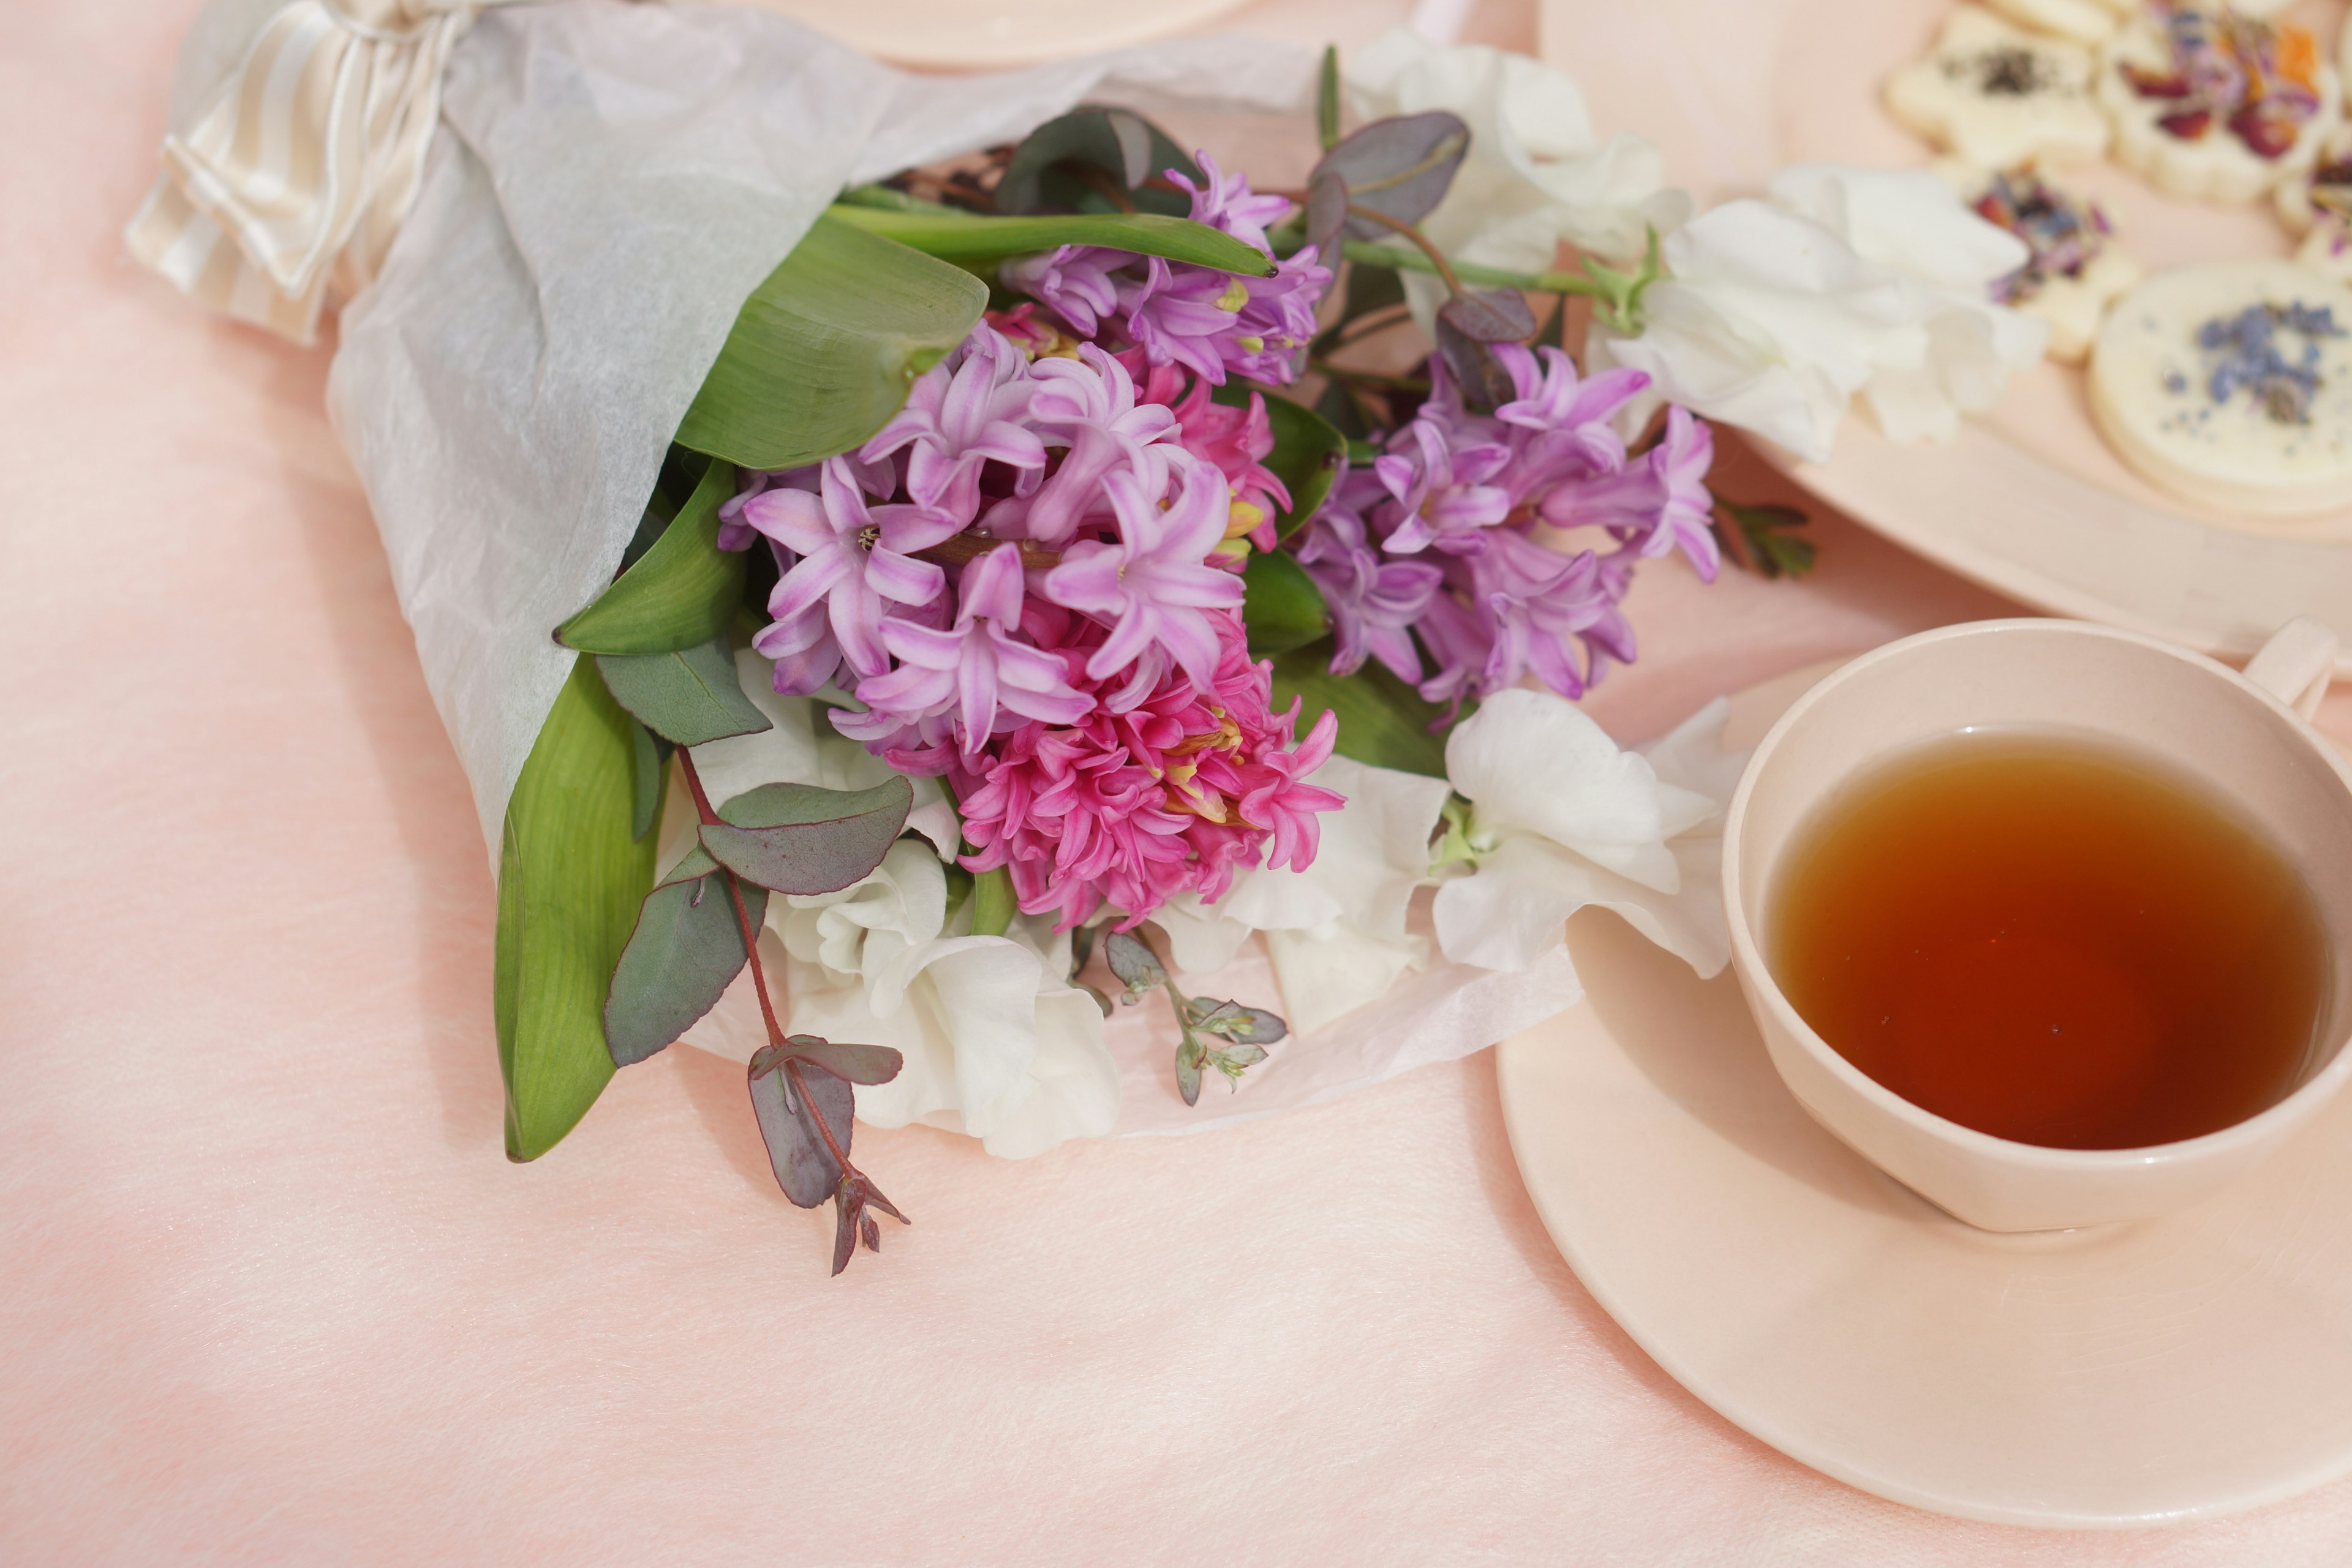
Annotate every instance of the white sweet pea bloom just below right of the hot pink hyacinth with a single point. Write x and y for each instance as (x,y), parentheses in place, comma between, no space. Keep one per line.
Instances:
(1332,932)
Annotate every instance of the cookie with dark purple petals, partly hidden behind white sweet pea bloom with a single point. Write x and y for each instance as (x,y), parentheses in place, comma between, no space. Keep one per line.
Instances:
(2073,269)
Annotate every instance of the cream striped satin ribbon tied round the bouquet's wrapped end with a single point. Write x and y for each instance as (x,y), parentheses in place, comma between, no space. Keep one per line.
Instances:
(298,173)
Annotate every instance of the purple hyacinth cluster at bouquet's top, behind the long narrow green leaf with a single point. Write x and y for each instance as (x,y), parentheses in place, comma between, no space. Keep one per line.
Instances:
(1177,314)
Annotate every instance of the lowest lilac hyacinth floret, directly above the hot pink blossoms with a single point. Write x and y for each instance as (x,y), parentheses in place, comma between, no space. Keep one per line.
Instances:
(975,669)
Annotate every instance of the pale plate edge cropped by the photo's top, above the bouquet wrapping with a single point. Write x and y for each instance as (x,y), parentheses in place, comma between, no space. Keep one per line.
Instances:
(991,34)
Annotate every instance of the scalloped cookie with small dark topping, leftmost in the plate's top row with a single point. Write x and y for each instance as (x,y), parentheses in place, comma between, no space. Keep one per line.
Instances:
(2000,95)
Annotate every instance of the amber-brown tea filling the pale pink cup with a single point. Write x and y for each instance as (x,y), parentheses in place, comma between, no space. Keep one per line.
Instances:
(2052,942)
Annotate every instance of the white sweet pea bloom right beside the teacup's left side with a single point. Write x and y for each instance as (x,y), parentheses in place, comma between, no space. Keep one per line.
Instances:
(1563,819)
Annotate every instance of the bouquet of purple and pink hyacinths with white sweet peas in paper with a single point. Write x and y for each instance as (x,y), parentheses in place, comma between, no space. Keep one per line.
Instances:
(1043,594)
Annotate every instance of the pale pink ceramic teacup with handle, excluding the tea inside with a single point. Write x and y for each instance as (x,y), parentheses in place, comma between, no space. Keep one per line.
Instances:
(2238,735)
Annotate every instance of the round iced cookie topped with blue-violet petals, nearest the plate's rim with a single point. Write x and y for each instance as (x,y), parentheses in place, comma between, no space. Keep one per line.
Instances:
(2231,384)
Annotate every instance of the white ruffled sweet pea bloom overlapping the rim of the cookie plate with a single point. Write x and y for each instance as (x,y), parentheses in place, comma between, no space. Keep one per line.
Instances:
(1845,283)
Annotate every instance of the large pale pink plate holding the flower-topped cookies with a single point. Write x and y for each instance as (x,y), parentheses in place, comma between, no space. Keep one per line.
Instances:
(2031,502)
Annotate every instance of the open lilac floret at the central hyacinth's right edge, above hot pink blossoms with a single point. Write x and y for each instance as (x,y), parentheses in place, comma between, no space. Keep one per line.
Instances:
(1154,587)
